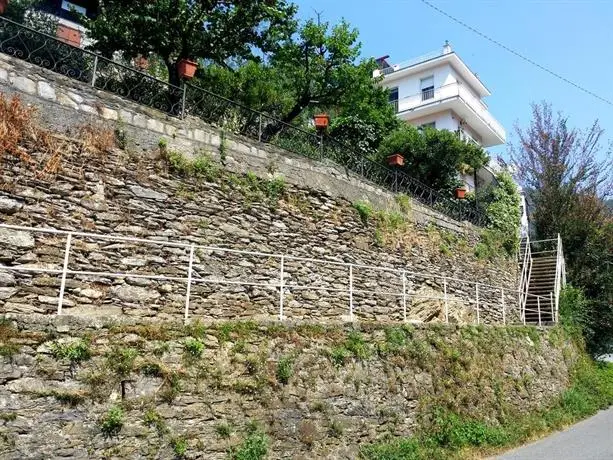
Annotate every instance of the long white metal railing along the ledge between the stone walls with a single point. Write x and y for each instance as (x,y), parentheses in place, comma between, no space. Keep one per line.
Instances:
(501,311)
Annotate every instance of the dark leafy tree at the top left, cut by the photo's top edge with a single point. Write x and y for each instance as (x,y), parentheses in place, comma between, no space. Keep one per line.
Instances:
(213,30)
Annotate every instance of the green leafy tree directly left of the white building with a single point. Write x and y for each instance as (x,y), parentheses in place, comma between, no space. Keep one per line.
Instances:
(319,68)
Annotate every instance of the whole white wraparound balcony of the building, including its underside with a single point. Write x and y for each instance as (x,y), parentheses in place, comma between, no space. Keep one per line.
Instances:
(459,99)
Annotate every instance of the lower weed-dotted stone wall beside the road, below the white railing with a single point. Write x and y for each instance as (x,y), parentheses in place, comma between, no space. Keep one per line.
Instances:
(78,388)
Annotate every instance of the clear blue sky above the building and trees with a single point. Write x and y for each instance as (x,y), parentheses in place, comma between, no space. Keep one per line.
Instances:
(571,37)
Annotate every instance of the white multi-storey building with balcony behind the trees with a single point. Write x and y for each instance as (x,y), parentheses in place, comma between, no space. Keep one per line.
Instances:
(440,91)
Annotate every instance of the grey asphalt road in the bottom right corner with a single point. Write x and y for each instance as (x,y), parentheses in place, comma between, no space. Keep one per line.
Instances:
(591,439)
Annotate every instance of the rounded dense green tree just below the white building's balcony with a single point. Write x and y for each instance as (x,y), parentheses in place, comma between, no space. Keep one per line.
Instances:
(432,156)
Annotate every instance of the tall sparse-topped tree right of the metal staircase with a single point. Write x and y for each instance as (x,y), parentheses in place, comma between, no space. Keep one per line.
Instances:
(566,185)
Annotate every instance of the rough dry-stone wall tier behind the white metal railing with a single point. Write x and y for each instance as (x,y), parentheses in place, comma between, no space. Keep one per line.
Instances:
(120,194)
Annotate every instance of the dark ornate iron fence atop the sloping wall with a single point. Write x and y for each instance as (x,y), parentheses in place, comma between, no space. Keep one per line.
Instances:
(50,53)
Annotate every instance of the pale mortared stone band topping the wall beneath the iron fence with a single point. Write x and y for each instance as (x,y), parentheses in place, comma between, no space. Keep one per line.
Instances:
(65,104)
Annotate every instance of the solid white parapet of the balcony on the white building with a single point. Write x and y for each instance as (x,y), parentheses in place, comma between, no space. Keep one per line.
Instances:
(448,91)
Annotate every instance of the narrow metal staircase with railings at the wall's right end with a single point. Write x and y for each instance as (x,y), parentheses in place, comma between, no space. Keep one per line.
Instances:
(543,274)
